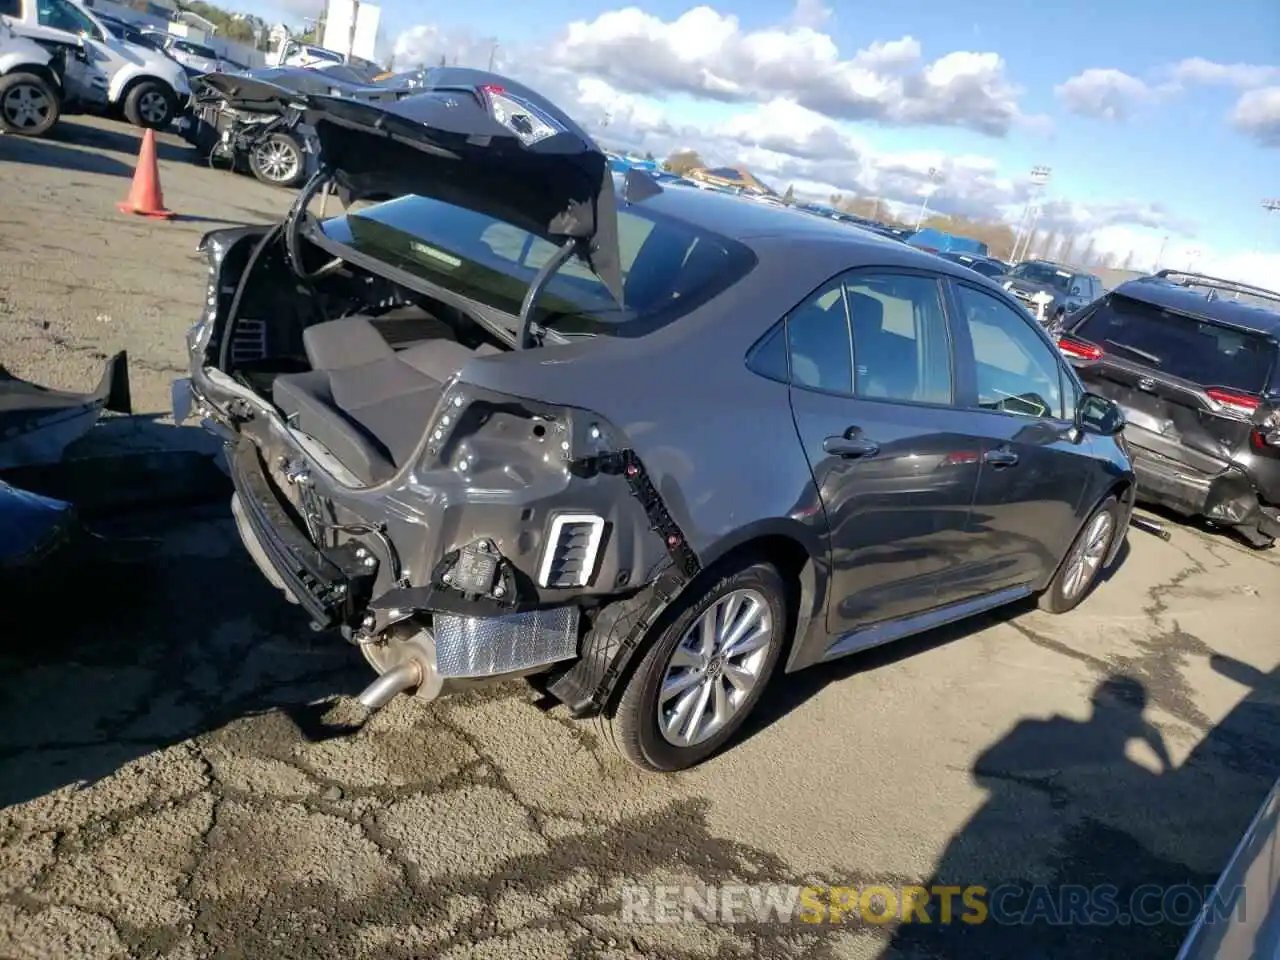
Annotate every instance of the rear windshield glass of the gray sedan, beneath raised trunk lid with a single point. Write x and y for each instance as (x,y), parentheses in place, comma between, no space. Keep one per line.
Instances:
(669,267)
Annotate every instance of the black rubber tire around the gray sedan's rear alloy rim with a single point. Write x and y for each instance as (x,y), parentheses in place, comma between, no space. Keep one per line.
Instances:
(633,723)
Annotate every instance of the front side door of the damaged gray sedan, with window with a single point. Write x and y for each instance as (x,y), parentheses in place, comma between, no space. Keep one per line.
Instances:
(1036,468)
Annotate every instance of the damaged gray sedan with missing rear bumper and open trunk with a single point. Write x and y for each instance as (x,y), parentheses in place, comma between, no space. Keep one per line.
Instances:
(508,417)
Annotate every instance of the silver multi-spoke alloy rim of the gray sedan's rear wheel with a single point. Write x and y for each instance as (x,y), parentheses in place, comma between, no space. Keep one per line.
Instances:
(715,668)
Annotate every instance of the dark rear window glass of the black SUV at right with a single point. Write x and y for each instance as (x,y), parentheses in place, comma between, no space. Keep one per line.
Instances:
(1206,354)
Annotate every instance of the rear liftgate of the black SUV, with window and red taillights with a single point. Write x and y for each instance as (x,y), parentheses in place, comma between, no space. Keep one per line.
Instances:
(1188,387)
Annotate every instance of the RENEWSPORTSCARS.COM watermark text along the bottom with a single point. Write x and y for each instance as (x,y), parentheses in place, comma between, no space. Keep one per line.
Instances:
(1011,904)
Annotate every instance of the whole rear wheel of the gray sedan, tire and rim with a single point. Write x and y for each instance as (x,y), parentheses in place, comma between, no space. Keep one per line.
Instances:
(703,675)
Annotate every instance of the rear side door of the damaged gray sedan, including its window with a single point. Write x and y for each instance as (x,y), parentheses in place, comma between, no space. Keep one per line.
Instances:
(871,374)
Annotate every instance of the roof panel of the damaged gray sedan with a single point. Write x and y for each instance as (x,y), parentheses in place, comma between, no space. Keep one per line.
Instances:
(774,234)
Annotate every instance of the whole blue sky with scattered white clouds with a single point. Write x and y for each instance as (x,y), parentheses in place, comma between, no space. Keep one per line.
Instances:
(1160,121)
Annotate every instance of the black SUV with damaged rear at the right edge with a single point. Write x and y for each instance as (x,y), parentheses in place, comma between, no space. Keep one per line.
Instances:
(1194,363)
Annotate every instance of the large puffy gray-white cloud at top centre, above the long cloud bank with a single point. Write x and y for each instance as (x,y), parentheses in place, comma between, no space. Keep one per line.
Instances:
(708,54)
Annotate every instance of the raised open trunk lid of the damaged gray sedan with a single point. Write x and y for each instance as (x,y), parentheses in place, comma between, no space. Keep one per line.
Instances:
(479,141)
